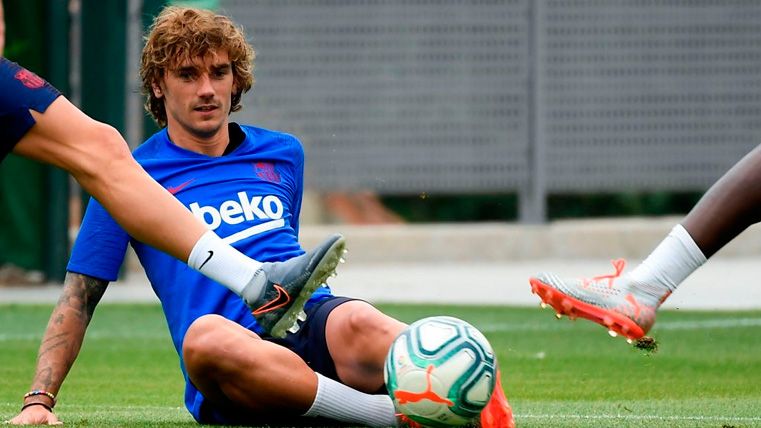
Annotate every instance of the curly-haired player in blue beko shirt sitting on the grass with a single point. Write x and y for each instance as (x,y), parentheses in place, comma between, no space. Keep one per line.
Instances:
(246,182)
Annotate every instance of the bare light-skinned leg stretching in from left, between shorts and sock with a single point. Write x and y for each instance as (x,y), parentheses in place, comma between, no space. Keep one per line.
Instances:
(99,159)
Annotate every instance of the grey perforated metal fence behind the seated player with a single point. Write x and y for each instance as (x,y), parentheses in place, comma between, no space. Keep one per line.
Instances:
(527,97)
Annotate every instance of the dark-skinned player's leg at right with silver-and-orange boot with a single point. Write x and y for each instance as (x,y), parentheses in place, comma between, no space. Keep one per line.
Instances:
(627,304)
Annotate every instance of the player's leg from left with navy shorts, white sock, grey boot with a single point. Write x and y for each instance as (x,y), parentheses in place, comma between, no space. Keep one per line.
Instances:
(38,123)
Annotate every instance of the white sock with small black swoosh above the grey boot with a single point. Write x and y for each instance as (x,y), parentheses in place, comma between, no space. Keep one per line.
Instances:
(219,261)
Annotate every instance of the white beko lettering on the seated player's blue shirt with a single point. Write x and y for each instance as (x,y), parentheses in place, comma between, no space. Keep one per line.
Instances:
(236,211)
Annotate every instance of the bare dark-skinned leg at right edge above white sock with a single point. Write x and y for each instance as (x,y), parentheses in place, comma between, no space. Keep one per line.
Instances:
(731,205)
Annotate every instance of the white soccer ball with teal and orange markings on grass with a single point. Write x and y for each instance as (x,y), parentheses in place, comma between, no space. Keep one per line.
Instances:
(440,372)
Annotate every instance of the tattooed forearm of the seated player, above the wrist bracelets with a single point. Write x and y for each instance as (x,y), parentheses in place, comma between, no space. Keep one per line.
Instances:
(66,329)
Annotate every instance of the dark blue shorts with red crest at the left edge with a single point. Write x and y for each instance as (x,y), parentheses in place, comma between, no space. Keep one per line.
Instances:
(20,90)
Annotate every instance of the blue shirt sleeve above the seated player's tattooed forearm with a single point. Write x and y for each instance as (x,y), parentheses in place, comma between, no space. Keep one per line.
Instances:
(100,246)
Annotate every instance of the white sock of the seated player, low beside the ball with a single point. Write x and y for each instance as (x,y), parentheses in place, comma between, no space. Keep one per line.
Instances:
(337,401)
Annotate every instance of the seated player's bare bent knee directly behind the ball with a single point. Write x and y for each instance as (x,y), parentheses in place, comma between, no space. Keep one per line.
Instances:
(359,337)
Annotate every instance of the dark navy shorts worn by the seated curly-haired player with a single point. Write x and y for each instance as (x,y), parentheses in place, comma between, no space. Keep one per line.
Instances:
(308,343)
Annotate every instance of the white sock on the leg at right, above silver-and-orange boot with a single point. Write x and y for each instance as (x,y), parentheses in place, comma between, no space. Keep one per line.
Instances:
(672,261)
